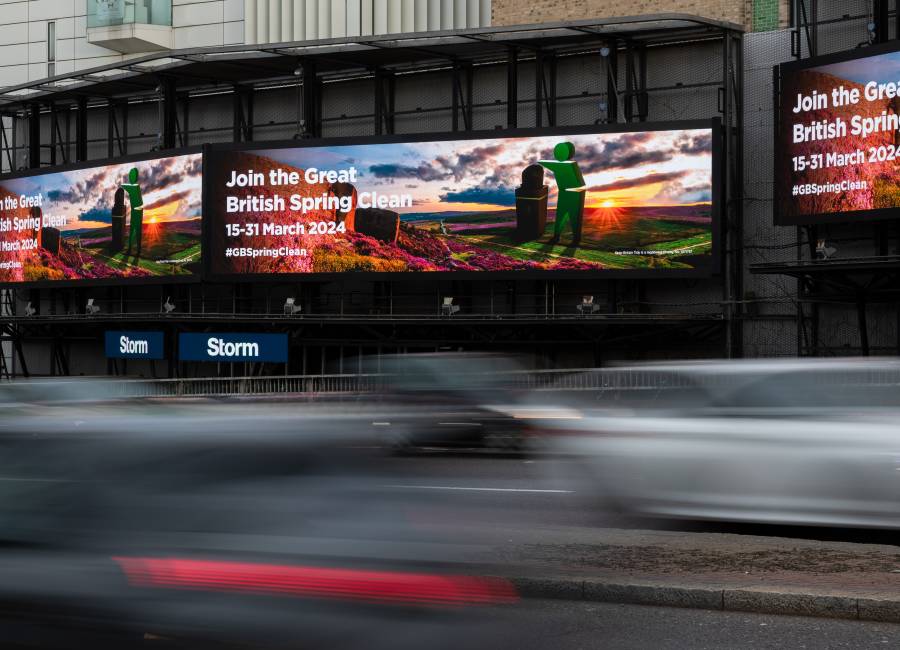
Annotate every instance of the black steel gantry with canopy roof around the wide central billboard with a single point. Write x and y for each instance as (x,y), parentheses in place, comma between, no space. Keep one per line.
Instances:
(653,67)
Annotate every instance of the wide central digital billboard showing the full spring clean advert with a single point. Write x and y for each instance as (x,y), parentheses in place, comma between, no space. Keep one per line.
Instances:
(620,201)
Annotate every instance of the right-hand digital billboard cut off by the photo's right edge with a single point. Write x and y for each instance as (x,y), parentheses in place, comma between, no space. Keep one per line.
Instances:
(837,138)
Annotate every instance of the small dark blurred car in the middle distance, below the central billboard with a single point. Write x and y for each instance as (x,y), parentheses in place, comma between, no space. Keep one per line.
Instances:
(450,400)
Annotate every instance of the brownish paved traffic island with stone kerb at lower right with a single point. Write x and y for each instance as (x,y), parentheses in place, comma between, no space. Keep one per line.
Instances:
(708,570)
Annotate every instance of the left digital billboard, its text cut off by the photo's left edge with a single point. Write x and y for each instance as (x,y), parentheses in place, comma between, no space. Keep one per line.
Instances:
(126,221)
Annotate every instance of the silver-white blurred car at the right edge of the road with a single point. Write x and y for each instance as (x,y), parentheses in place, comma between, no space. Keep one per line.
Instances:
(812,442)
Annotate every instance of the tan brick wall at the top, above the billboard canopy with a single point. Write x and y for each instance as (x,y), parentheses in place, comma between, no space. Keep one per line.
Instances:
(753,14)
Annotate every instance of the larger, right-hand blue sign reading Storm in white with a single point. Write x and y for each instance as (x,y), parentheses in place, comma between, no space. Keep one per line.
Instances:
(232,347)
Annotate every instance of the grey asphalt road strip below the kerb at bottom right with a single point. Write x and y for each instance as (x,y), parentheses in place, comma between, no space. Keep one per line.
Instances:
(570,625)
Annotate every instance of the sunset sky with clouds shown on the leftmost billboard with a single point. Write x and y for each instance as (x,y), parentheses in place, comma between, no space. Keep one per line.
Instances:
(171,187)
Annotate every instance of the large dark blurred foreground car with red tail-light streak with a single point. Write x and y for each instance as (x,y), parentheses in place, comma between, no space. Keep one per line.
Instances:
(200,523)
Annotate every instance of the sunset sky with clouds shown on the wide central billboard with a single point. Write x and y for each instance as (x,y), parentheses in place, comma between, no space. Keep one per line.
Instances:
(647,168)
